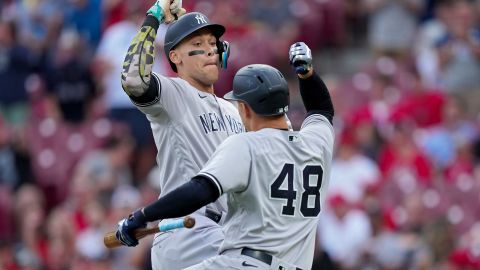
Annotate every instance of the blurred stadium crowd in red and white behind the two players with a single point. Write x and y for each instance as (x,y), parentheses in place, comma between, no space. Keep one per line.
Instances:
(76,155)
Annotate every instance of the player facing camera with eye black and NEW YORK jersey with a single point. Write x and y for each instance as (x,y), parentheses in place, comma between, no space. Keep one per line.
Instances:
(188,121)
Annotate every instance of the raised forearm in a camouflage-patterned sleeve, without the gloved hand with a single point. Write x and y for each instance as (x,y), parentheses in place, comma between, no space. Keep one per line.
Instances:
(138,63)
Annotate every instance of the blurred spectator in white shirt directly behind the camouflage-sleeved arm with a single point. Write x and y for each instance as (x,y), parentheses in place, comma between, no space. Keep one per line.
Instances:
(108,61)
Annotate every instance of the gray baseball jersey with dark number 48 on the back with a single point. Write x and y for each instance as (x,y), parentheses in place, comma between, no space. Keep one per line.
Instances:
(276,183)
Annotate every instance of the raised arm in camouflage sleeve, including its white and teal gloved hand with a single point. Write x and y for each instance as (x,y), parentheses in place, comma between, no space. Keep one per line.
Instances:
(137,67)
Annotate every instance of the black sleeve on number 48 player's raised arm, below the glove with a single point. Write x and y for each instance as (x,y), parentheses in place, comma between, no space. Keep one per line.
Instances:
(315,95)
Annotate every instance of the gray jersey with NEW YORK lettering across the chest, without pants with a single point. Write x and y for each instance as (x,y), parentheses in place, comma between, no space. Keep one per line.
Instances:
(187,126)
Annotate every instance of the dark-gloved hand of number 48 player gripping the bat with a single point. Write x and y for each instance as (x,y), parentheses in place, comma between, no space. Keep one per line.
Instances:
(126,226)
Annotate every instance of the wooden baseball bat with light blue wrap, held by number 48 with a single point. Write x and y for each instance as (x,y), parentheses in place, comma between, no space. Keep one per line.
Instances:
(111,241)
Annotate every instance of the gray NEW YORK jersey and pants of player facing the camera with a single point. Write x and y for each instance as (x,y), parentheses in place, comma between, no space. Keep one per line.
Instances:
(187,126)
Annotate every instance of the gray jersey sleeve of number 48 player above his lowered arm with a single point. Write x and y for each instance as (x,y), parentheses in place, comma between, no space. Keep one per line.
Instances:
(229,167)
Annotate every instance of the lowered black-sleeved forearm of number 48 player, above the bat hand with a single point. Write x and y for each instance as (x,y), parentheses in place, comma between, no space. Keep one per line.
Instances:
(184,200)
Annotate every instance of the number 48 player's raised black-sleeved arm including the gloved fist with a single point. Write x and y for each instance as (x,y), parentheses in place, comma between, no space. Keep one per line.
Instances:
(313,90)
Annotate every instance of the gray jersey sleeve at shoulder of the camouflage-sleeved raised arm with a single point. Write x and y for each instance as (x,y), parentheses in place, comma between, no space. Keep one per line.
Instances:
(169,100)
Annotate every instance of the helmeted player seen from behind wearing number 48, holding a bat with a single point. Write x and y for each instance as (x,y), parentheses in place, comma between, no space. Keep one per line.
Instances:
(275,179)
